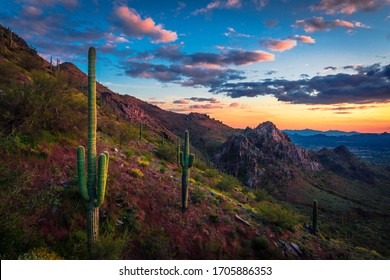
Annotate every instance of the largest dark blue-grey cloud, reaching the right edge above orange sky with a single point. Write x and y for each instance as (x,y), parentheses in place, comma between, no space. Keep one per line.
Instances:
(370,84)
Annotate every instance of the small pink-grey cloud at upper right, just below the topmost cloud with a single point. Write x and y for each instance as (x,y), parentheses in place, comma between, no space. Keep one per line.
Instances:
(314,24)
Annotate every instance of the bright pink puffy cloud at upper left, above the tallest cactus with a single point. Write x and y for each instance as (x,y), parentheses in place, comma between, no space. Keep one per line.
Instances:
(131,24)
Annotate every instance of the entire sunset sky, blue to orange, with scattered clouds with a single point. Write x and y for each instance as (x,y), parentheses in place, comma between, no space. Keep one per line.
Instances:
(321,64)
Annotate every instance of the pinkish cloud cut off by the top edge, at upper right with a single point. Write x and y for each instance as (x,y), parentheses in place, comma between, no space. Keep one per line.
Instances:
(348,6)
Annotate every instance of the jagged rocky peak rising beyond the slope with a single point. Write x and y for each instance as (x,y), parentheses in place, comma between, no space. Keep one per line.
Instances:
(264,152)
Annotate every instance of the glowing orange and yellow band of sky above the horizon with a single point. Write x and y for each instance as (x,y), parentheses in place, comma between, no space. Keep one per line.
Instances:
(370,118)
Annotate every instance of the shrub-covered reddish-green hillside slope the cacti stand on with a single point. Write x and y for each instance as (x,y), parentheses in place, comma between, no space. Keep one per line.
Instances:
(42,216)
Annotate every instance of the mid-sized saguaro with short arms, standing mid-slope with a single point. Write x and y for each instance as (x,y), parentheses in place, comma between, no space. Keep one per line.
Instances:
(186,162)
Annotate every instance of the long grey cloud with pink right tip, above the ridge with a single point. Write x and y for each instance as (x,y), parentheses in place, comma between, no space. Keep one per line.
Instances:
(182,74)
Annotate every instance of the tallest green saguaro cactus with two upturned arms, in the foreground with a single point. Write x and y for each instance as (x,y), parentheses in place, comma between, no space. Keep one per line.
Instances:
(92,188)
